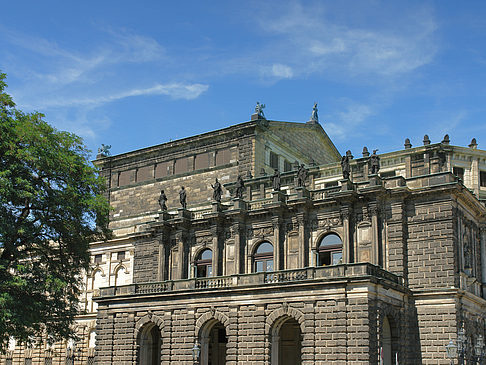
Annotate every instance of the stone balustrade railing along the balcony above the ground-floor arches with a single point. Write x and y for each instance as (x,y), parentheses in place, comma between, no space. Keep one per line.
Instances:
(317,274)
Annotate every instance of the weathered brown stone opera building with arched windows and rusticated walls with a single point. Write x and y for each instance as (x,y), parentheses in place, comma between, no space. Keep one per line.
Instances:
(338,271)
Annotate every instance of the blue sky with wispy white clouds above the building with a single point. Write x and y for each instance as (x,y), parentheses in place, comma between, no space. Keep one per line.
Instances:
(135,74)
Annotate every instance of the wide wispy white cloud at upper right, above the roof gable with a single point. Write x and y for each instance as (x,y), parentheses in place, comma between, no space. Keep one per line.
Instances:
(311,42)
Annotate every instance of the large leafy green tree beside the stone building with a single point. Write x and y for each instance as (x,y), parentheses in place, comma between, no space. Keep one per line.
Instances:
(51,207)
